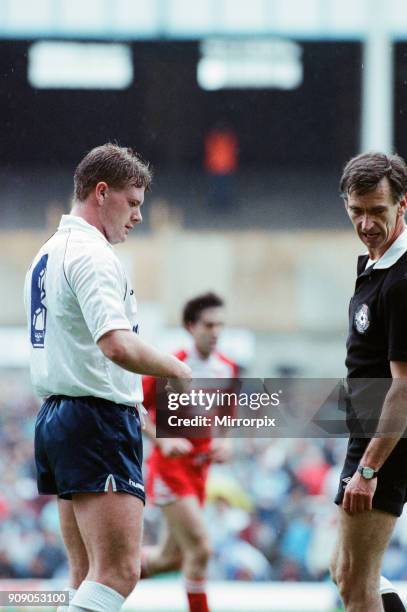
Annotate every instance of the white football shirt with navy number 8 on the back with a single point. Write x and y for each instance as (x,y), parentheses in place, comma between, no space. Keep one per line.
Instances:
(75,291)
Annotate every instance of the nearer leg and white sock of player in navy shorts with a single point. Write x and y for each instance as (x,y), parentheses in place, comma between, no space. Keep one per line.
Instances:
(111,526)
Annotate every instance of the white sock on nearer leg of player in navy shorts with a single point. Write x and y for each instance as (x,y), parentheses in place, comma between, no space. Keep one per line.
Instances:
(96,597)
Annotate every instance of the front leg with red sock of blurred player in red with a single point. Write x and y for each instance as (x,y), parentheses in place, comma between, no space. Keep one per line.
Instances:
(186,523)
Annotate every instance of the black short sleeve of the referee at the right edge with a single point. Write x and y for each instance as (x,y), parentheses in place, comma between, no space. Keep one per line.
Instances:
(396,319)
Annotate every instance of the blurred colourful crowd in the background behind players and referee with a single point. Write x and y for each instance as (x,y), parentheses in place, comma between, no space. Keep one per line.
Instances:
(270,510)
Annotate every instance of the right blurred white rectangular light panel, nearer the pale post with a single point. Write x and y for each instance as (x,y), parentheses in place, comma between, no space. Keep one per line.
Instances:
(248,63)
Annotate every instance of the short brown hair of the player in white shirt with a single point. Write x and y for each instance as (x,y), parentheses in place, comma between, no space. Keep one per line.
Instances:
(118,166)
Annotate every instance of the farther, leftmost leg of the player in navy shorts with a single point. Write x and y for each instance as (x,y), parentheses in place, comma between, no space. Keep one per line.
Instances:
(75,548)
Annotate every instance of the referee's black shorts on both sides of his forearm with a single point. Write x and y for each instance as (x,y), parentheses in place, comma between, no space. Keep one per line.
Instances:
(391,491)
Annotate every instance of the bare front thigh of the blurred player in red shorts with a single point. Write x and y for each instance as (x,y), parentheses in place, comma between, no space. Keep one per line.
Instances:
(186,522)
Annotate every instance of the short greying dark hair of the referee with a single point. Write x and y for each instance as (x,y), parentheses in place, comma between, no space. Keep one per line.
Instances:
(363,172)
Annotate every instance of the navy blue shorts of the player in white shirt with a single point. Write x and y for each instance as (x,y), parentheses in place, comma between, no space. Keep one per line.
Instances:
(88,444)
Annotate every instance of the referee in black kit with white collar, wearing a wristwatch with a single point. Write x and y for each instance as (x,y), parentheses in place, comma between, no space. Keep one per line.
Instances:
(373,485)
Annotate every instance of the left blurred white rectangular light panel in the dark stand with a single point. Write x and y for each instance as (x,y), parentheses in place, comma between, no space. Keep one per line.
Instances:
(74,65)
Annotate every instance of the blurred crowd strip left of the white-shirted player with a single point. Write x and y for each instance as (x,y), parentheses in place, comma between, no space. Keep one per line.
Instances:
(30,542)
